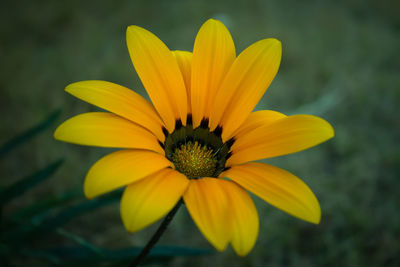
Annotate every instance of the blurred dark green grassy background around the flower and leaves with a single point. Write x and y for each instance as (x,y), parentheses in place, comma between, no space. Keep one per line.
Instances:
(340,61)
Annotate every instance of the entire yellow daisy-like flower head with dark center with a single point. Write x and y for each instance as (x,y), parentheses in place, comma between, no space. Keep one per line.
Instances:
(199,130)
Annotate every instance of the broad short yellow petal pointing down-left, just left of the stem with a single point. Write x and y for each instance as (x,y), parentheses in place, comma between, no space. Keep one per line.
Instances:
(146,201)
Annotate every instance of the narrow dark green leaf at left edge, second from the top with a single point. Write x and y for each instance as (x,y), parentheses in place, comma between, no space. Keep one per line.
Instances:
(28,182)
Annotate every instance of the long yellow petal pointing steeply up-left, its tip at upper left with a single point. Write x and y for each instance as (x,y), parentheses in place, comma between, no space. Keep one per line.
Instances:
(160,74)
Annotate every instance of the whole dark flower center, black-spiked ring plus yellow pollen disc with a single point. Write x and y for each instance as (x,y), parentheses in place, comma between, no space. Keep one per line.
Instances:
(197,152)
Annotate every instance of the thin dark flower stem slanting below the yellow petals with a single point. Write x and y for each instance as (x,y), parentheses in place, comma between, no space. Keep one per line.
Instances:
(156,235)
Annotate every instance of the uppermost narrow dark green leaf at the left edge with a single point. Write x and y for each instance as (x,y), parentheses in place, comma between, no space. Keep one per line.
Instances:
(29,134)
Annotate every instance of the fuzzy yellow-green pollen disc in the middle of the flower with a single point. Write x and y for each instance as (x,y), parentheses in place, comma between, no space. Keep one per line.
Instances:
(194,160)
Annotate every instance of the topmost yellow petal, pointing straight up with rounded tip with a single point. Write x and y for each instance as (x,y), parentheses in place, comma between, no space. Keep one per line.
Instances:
(213,54)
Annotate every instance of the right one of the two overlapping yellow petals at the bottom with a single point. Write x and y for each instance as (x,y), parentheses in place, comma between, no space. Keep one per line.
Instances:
(245,222)
